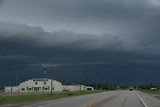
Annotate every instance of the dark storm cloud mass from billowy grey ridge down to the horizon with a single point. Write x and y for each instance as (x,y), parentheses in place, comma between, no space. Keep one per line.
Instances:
(23,49)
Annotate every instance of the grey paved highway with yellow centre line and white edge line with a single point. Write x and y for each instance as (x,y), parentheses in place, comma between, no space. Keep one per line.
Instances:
(104,99)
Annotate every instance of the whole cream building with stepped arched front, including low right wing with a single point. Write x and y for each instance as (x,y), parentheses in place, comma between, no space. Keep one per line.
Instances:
(45,85)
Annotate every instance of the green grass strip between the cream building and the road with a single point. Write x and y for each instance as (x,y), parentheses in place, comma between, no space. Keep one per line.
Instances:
(38,97)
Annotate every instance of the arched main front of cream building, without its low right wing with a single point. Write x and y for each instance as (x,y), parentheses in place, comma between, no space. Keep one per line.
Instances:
(36,85)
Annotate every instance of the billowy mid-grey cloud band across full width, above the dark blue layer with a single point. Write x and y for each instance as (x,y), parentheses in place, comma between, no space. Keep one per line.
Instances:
(24,35)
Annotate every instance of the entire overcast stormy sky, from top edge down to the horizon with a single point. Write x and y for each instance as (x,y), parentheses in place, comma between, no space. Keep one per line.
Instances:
(115,40)
